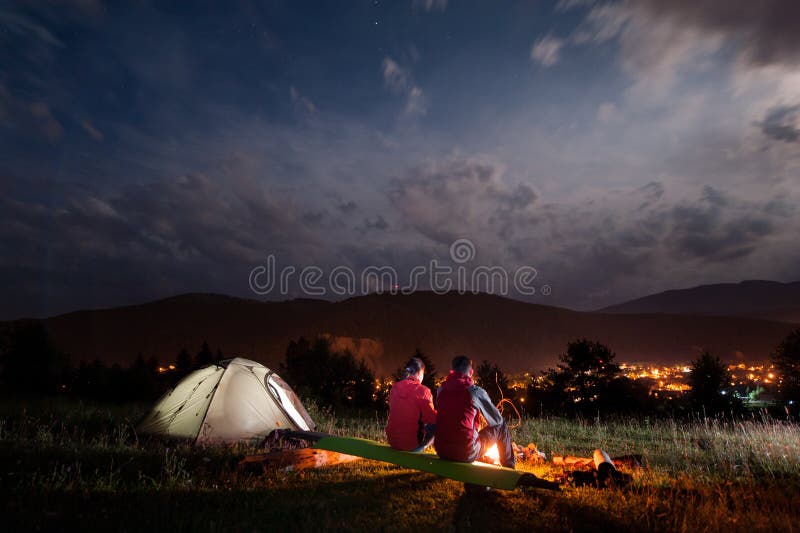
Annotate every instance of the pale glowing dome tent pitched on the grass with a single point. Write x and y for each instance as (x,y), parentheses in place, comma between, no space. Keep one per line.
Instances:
(235,400)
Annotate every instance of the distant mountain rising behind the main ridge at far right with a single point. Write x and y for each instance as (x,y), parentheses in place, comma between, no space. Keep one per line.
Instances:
(759,299)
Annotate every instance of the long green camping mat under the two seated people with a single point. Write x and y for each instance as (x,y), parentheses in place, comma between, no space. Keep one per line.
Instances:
(474,473)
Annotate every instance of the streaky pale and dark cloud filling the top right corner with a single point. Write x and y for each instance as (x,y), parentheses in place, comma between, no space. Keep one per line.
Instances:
(658,40)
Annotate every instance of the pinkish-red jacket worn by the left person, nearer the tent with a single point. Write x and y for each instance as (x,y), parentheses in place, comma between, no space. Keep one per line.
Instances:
(410,408)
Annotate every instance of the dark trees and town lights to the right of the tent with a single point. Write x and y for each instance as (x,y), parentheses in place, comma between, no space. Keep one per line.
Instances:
(587,382)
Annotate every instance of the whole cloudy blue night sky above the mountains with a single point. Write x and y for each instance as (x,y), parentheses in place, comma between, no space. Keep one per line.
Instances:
(620,148)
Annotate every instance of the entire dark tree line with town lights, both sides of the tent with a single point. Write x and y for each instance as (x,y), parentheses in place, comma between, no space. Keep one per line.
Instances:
(586,382)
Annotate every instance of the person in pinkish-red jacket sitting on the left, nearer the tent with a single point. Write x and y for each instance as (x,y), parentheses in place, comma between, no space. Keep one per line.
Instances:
(412,418)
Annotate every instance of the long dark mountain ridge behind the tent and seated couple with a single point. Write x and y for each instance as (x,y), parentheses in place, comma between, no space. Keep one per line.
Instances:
(385,330)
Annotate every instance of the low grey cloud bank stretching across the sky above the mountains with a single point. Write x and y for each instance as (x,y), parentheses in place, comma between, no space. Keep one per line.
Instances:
(205,230)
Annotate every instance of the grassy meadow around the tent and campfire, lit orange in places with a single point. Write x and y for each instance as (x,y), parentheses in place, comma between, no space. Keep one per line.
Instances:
(66,465)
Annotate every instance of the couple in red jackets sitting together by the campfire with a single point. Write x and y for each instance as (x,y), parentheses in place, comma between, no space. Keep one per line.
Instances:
(453,426)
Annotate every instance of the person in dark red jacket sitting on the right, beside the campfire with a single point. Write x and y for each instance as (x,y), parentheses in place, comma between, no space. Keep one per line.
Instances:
(461,403)
